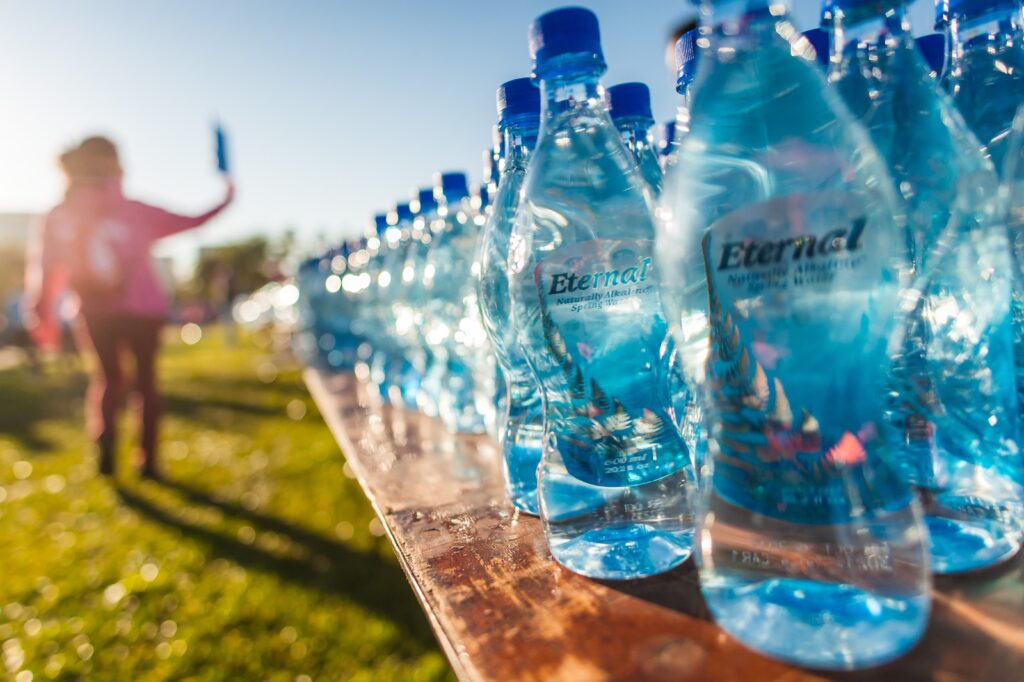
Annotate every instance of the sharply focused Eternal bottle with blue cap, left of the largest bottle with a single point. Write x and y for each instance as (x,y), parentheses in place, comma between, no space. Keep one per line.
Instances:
(616,480)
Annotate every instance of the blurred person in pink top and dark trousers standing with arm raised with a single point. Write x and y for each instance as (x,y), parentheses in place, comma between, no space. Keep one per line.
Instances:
(97,242)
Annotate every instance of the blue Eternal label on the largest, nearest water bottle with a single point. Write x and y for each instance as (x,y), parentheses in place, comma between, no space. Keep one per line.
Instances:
(800,306)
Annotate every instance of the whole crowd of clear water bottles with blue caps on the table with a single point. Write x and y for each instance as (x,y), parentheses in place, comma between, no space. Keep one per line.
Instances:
(793,347)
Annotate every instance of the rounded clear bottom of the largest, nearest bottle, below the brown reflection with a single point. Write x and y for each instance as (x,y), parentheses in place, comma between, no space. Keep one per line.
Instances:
(827,626)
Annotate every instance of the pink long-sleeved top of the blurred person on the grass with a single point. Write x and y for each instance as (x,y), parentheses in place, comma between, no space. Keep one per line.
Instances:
(130,227)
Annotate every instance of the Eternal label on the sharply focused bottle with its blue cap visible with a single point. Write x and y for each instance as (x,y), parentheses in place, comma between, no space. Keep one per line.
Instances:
(604,328)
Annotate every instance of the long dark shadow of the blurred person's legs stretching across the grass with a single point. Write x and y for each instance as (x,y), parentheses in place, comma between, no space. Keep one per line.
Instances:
(332,568)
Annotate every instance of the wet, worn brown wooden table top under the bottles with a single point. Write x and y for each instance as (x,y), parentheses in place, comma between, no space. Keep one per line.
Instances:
(503,610)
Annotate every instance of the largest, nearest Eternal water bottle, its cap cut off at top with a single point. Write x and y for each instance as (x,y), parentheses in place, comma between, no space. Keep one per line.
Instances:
(781,264)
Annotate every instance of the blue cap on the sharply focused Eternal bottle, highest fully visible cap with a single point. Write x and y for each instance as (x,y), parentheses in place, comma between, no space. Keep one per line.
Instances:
(563,32)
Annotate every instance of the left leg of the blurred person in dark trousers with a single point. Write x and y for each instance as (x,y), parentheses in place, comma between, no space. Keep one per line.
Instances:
(99,337)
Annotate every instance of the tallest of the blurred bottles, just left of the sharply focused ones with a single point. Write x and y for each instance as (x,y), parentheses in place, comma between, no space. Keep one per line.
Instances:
(454,330)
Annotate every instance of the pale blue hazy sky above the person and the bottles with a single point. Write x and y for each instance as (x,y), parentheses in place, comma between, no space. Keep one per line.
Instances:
(335,110)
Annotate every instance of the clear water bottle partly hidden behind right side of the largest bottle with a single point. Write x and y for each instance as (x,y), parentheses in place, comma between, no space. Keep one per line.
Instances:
(955,406)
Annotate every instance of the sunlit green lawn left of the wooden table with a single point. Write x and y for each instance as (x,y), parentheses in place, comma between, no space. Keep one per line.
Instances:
(258,560)
